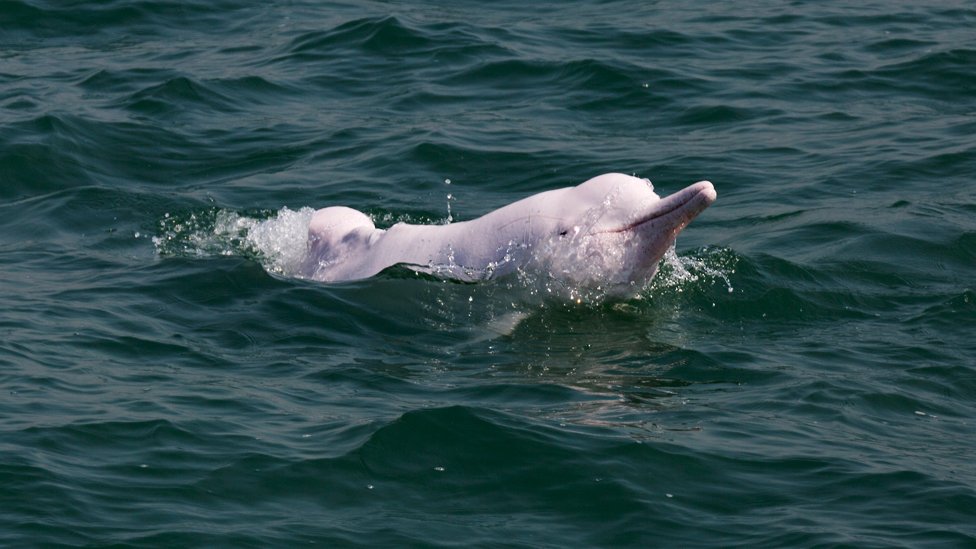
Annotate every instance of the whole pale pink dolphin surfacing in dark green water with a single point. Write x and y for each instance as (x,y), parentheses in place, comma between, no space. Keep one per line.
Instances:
(609,232)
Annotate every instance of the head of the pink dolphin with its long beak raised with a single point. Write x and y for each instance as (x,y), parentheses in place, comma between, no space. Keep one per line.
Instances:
(612,231)
